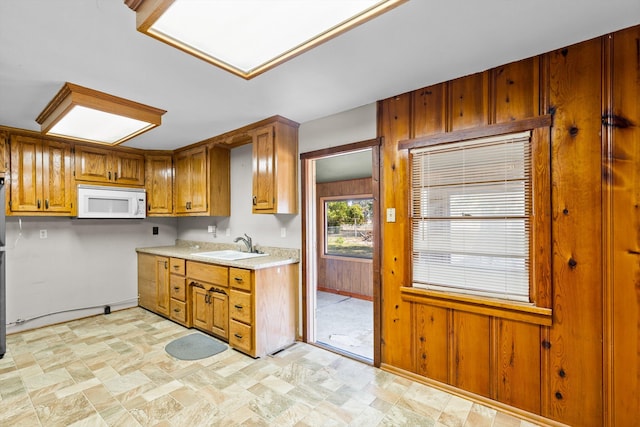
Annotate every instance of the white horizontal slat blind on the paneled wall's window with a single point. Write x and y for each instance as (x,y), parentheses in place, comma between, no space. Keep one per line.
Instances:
(471,208)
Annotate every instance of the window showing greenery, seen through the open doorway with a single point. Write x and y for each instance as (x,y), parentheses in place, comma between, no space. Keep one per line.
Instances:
(348,228)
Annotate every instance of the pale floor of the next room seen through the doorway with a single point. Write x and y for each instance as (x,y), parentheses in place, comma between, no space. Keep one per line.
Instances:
(345,323)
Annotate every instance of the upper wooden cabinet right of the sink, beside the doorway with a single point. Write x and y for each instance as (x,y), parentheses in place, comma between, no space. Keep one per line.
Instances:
(275,160)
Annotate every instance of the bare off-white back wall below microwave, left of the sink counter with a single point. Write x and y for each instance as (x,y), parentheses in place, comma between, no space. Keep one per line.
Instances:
(82,263)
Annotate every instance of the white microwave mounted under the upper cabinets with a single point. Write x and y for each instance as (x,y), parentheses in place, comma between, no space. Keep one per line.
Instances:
(111,202)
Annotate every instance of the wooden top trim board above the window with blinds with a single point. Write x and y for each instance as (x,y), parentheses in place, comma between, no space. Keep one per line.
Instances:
(477,132)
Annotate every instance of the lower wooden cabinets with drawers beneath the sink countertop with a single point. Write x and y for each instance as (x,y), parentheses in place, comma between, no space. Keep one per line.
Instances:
(254,310)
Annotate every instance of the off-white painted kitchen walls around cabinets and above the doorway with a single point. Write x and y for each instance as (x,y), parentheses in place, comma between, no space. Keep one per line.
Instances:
(91,263)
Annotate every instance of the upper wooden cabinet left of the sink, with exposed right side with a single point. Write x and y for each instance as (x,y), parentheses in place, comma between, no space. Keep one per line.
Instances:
(202,181)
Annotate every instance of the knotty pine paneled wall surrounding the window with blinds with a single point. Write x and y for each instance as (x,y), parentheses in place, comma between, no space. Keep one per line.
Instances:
(584,369)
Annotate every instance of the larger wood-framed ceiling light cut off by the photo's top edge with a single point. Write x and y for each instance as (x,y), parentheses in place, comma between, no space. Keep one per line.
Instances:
(249,37)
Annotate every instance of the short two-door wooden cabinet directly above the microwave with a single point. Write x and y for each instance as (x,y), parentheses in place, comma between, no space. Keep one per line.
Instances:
(102,165)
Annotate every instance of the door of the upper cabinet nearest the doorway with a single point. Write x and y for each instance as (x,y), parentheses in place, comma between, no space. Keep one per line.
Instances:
(263,173)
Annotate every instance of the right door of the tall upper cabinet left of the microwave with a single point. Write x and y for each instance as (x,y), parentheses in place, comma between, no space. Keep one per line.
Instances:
(56,177)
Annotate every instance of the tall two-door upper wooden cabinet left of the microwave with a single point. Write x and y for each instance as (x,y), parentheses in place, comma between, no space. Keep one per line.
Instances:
(40,177)
